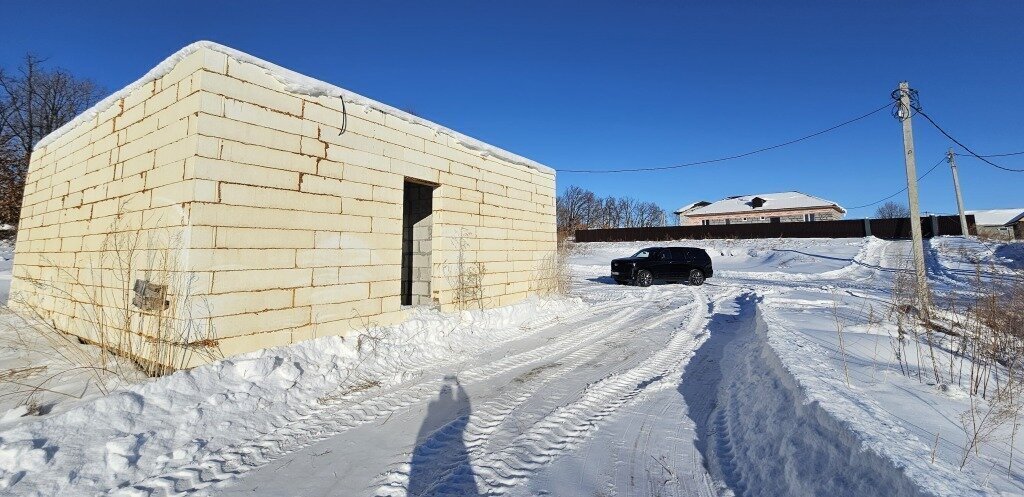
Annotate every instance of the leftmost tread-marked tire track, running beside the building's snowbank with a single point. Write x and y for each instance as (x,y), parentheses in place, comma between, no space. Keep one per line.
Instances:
(320,423)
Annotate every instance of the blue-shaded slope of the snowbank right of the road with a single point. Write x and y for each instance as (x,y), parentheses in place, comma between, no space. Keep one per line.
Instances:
(763,437)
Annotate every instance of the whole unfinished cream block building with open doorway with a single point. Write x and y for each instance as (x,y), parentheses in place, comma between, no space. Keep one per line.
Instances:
(223,204)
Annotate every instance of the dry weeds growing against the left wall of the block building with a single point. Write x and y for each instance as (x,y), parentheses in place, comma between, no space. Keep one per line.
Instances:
(157,342)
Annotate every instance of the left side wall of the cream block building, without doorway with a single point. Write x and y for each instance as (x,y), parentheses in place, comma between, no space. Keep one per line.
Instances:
(108,203)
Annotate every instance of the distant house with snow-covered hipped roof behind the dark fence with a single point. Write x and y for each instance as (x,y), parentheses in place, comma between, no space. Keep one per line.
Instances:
(778,208)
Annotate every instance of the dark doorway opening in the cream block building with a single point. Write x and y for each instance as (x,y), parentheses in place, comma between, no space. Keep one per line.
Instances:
(417,233)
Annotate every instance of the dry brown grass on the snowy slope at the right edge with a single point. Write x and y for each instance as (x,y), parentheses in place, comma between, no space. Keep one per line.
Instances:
(979,328)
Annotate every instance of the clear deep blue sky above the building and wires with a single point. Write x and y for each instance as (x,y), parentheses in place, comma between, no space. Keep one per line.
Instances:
(607,86)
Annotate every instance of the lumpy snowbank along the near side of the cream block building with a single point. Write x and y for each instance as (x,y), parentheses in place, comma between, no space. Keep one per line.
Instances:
(182,418)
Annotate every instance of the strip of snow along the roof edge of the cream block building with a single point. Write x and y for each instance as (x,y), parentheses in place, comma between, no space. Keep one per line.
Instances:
(295,84)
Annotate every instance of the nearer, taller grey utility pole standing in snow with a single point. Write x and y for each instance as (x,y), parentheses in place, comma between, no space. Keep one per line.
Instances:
(905,112)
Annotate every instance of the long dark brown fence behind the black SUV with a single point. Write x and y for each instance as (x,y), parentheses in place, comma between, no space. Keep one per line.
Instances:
(899,229)
